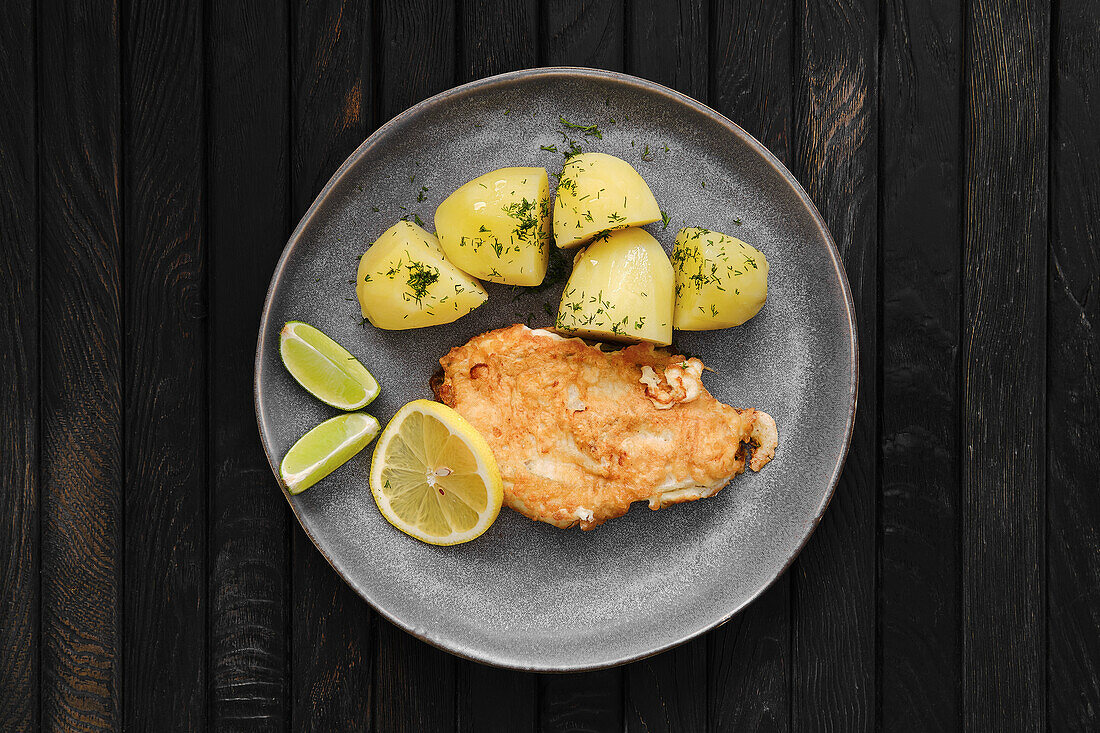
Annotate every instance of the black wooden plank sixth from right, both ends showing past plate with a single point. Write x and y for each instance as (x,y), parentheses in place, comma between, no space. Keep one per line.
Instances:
(667,42)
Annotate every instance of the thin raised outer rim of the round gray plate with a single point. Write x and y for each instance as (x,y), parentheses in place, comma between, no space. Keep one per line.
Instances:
(630,81)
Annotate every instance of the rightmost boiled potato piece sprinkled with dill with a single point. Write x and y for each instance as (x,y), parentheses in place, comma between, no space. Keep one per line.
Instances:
(721,281)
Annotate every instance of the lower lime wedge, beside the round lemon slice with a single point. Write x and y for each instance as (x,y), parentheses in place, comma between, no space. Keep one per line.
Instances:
(325,450)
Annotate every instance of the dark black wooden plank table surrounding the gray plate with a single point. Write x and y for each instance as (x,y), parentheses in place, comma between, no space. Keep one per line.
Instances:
(155,156)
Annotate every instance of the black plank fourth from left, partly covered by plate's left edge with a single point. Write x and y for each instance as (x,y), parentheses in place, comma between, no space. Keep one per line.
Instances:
(248,138)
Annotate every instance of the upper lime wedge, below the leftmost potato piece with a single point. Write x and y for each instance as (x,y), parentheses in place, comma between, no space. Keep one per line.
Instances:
(325,368)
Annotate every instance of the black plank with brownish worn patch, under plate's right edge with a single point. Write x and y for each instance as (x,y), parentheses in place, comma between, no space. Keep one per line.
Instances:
(833,581)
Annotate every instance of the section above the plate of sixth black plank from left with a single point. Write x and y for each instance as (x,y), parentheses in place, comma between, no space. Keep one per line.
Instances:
(416,54)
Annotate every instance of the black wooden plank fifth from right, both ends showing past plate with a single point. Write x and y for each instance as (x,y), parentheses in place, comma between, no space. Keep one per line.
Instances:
(752,82)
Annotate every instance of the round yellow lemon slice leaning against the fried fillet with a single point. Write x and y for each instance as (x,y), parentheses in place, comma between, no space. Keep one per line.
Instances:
(434,476)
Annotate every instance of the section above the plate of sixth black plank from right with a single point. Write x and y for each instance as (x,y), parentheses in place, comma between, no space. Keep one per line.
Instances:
(667,42)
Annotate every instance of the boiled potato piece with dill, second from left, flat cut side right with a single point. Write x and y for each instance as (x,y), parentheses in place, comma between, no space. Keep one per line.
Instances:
(498,226)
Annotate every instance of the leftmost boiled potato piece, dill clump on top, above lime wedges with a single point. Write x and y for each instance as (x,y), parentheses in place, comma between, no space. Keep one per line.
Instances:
(404,281)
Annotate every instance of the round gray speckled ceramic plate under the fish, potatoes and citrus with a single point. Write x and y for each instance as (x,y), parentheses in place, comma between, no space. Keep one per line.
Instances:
(527,595)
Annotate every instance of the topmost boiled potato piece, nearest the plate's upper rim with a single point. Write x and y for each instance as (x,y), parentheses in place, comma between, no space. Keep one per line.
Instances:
(598,193)
